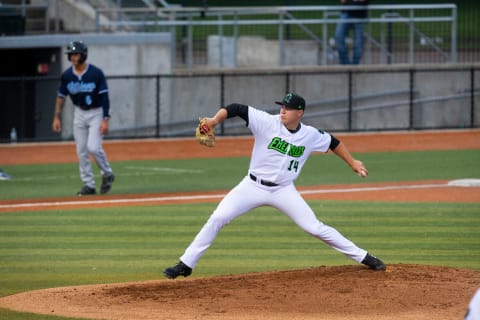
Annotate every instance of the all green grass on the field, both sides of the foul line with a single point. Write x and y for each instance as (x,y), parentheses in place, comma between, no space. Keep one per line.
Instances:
(45,249)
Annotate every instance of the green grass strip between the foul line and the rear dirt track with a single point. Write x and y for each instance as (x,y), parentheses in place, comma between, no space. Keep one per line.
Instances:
(60,180)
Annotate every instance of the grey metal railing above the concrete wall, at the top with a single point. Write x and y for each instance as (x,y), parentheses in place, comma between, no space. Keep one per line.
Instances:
(394,33)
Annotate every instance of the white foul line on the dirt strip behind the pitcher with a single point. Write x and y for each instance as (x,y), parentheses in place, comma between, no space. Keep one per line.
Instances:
(206,197)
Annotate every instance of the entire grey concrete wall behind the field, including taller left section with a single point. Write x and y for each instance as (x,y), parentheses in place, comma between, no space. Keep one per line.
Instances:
(145,90)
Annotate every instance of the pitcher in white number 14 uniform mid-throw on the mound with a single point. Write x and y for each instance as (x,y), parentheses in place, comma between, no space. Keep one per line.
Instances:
(282,145)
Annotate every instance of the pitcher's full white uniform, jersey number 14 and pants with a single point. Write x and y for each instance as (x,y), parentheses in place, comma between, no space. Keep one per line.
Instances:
(278,157)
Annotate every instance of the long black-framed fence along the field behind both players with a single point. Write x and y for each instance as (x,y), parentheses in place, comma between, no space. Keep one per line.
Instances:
(338,100)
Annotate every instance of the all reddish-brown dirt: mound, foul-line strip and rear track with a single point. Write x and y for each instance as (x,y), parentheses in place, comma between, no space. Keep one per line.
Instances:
(404,291)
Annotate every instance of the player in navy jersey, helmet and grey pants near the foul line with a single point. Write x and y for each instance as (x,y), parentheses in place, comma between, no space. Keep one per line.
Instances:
(87,87)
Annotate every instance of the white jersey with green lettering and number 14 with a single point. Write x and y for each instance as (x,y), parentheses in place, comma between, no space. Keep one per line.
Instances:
(279,155)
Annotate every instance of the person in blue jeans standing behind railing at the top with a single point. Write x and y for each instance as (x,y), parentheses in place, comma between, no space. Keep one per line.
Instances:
(344,27)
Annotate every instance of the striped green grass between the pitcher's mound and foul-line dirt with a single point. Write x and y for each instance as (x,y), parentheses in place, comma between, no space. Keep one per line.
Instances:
(49,249)
